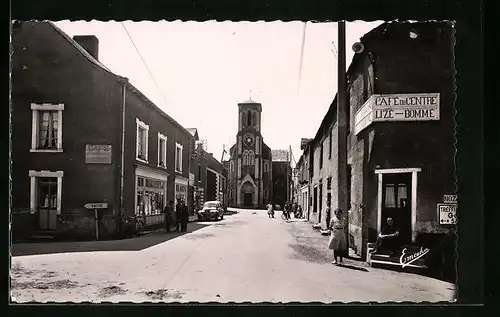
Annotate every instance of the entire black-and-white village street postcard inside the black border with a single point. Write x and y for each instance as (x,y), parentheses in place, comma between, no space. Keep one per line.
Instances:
(233,162)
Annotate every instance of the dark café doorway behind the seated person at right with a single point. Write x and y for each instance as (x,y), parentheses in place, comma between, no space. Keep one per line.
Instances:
(396,202)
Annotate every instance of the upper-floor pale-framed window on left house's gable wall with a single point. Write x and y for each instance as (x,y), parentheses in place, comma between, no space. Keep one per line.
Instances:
(46,125)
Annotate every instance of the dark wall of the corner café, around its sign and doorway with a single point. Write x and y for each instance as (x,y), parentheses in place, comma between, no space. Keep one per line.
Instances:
(404,65)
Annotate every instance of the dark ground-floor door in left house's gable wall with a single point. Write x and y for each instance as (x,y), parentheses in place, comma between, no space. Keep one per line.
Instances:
(47,203)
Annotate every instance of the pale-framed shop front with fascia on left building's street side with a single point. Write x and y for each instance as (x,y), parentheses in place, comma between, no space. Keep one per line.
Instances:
(151,195)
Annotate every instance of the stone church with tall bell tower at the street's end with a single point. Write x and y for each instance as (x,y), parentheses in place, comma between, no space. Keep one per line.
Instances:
(250,165)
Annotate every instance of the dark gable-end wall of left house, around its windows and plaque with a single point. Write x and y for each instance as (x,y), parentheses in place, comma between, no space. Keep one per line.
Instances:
(48,69)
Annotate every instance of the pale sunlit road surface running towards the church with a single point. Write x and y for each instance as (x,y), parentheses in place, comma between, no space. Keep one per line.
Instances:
(245,257)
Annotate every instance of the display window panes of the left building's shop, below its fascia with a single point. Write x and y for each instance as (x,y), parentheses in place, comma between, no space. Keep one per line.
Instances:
(151,197)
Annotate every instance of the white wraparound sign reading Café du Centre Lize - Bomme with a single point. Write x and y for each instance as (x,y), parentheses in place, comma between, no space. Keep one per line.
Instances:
(399,107)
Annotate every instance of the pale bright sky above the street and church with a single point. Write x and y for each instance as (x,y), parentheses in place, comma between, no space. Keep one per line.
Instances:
(200,71)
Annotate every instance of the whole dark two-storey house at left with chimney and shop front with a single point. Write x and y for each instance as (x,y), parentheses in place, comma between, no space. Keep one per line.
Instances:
(81,134)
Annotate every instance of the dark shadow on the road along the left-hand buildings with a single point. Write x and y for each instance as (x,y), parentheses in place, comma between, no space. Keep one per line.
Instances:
(130,244)
